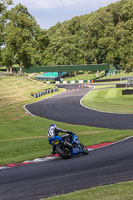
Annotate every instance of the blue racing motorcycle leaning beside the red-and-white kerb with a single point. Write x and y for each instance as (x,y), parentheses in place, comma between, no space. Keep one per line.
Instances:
(67,145)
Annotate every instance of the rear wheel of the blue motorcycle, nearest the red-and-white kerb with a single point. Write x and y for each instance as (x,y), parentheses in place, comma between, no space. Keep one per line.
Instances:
(63,151)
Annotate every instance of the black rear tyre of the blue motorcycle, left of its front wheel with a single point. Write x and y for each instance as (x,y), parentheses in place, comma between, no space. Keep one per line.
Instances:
(61,152)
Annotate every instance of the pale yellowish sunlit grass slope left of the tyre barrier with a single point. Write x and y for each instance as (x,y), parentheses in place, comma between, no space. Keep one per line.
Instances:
(16,89)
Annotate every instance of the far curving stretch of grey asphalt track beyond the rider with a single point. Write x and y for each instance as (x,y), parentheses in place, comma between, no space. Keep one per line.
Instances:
(66,108)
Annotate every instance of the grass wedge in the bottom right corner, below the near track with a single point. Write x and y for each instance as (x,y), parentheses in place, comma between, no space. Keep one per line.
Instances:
(119,191)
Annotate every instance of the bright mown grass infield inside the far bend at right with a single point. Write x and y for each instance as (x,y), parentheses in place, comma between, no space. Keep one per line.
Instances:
(109,100)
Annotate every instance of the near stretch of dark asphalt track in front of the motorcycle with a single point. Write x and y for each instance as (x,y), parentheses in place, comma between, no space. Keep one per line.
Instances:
(103,166)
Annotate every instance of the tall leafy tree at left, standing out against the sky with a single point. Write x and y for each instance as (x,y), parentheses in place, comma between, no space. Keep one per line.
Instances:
(21,35)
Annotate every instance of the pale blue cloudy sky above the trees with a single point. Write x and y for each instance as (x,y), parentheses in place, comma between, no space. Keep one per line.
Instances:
(48,12)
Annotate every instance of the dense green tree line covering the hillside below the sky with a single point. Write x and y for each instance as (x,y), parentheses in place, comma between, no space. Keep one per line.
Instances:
(104,36)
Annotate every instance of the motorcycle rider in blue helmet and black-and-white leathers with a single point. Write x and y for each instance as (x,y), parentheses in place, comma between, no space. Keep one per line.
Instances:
(53,130)
